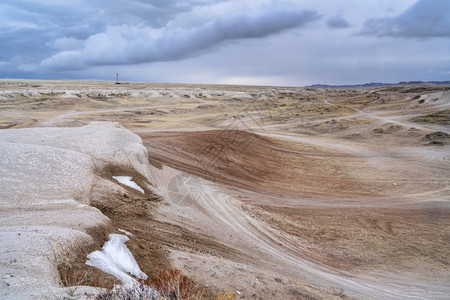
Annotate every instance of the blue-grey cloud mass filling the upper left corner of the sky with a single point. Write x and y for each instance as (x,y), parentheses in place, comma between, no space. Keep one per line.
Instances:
(31,31)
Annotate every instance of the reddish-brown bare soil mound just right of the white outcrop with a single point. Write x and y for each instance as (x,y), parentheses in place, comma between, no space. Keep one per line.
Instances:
(250,161)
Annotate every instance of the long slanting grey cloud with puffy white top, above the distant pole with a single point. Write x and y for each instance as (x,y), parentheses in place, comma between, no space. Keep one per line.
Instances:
(127,44)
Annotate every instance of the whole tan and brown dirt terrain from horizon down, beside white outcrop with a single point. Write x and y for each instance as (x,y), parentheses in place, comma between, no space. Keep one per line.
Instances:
(277,192)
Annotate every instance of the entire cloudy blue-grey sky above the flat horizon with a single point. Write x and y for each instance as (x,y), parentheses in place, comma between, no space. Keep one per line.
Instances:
(258,42)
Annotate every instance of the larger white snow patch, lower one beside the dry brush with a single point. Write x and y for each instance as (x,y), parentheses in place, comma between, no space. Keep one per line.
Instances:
(117,260)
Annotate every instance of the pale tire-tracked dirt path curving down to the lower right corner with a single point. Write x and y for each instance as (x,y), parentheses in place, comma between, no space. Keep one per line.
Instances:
(264,243)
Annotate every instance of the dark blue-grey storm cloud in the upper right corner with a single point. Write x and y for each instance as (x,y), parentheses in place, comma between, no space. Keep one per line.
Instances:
(425,19)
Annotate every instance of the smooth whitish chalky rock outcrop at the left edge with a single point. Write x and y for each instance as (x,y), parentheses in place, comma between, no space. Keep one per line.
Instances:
(46,177)
